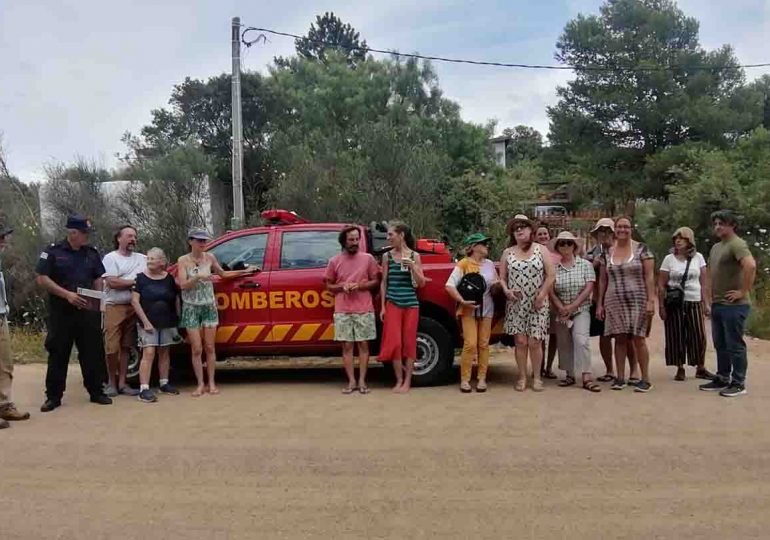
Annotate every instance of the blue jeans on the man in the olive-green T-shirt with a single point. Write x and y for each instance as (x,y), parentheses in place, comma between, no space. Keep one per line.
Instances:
(728,324)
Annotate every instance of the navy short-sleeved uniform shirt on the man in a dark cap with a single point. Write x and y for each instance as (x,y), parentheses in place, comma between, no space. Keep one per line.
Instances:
(70,268)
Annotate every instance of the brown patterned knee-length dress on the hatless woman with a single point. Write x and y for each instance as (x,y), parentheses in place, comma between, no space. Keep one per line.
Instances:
(626,294)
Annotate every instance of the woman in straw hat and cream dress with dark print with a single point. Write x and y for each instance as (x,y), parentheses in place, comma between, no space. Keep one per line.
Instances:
(526,275)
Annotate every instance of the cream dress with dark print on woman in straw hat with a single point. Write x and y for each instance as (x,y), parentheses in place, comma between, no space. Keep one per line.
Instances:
(526,277)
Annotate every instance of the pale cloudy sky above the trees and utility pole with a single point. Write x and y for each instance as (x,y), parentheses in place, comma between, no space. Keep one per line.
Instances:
(77,74)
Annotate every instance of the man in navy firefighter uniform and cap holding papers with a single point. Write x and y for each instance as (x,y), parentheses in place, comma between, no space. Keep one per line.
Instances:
(61,269)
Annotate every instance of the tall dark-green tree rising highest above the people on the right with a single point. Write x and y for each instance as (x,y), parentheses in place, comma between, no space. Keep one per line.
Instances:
(643,83)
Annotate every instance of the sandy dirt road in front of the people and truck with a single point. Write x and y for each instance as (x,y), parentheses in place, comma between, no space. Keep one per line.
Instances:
(282,454)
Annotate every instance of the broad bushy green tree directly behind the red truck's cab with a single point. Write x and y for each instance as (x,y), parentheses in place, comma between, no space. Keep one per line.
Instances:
(372,143)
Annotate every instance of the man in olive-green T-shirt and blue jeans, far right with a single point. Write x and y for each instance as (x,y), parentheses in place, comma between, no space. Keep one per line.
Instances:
(733,270)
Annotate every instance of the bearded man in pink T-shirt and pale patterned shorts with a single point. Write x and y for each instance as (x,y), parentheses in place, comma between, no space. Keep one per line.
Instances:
(351,276)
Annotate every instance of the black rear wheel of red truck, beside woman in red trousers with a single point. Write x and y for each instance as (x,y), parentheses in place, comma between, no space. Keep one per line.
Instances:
(435,354)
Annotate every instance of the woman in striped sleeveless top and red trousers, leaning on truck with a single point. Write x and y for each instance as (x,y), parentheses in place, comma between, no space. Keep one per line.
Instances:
(400,312)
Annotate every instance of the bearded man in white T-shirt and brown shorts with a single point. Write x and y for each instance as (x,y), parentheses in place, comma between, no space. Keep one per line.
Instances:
(121,267)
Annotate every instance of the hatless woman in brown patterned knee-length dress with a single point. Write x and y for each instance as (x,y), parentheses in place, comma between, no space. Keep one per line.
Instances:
(627,301)
